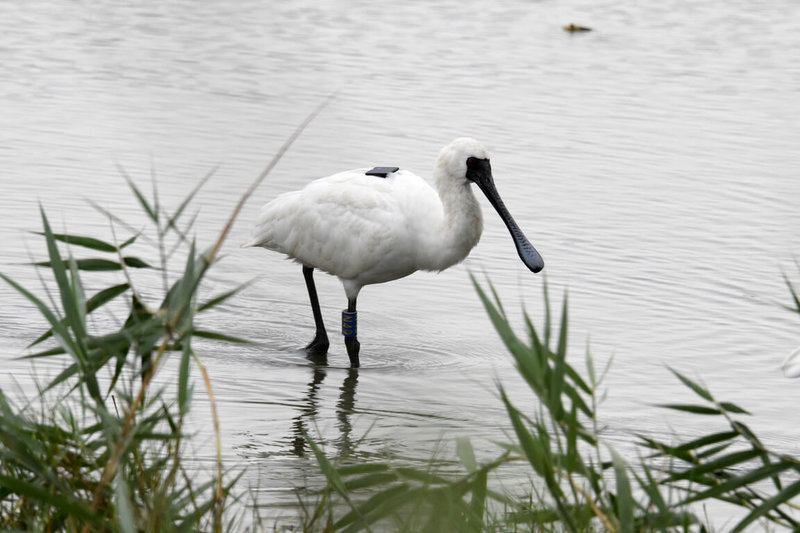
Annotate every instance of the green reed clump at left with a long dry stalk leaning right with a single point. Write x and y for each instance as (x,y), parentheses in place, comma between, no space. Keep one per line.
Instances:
(101,446)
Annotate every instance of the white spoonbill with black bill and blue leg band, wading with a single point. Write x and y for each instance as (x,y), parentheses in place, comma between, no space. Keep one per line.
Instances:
(371,226)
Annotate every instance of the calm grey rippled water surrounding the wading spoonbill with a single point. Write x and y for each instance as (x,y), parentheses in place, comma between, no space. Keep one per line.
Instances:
(653,162)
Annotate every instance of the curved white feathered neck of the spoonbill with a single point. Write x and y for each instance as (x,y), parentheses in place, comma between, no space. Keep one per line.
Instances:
(461,224)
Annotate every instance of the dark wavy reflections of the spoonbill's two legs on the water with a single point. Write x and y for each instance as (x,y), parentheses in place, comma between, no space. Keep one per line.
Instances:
(305,421)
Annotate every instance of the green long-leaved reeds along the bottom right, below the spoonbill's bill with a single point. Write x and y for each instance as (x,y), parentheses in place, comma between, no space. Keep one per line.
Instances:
(579,482)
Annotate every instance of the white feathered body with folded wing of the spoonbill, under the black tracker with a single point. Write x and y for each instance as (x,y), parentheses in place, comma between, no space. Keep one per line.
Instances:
(350,224)
